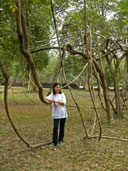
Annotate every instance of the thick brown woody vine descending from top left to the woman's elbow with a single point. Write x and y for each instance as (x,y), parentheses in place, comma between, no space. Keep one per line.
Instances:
(24,47)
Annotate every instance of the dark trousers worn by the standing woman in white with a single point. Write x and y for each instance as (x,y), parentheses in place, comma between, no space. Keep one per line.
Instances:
(55,130)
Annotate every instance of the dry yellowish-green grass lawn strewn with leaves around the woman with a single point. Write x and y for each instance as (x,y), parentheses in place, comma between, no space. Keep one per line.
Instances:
(33,120)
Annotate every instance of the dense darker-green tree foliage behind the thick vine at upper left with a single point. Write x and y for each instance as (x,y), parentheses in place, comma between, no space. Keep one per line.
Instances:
(39,30)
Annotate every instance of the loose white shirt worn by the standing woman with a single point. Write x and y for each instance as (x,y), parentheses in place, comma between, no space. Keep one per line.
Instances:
(60,111)
